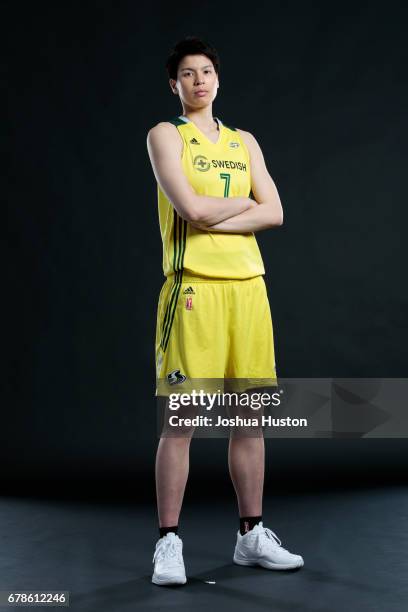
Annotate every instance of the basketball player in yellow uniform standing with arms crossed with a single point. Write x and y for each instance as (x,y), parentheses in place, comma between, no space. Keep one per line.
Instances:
(213,318)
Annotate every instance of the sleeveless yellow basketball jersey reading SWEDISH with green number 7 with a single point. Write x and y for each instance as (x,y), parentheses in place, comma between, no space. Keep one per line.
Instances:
(221,169)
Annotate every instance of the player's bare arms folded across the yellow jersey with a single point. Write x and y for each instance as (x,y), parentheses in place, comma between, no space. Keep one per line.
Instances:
(209,213)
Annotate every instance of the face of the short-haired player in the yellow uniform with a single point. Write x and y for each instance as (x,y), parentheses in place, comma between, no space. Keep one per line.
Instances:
(197,81)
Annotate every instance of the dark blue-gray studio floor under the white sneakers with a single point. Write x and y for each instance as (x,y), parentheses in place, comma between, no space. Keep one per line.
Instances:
(354,544)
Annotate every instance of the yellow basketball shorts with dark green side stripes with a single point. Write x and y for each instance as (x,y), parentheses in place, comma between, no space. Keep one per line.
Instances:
(210,331)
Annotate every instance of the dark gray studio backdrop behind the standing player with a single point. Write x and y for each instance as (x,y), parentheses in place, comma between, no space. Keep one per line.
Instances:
(323,88)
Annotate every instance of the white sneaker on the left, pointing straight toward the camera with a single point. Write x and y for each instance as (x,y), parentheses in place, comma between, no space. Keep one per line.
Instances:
(168,561)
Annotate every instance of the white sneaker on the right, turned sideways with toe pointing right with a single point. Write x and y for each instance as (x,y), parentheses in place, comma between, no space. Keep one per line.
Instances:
(259,546)
